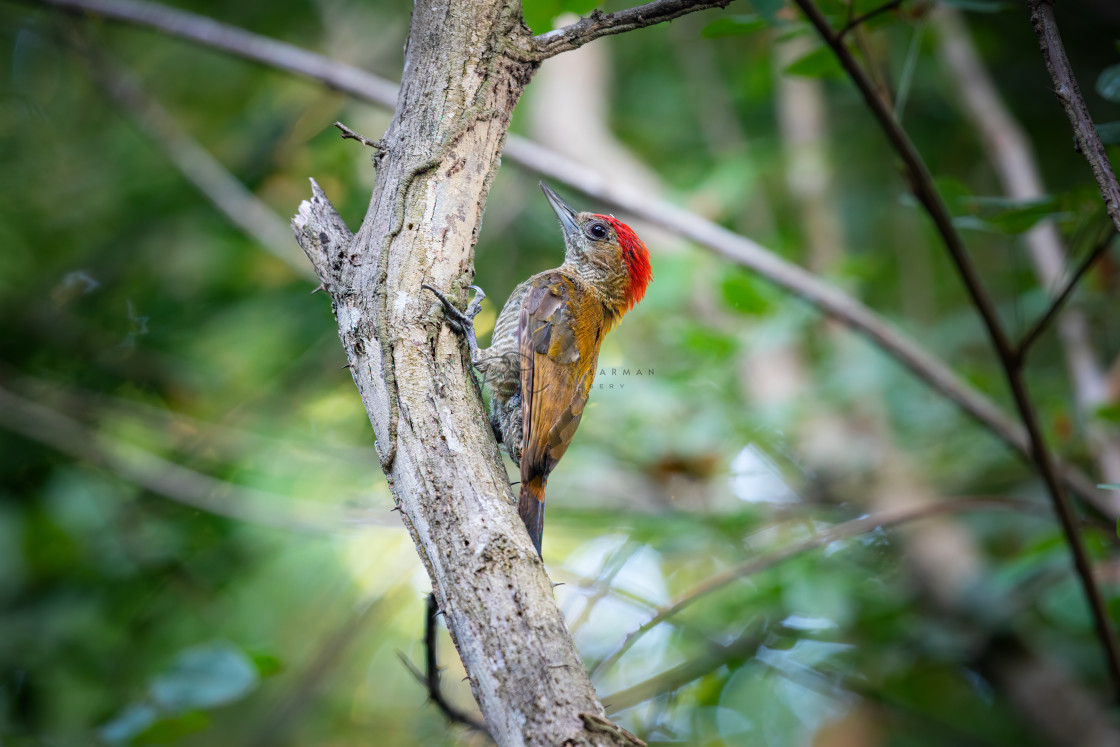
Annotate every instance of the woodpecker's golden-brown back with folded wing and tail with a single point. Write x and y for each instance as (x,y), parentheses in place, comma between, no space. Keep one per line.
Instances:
(559,333)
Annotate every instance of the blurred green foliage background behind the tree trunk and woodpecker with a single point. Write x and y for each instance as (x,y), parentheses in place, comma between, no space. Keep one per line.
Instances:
(197,544)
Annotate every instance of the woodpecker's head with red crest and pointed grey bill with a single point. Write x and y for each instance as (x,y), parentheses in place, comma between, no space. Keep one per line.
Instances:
(605,250)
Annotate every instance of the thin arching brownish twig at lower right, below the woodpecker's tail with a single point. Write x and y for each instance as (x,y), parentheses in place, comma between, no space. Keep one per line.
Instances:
(854,528)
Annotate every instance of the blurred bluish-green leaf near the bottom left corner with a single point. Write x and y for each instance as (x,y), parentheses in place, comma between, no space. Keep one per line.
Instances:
(204,677)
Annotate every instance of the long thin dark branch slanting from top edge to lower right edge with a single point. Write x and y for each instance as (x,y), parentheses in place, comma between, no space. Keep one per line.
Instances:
(923,189)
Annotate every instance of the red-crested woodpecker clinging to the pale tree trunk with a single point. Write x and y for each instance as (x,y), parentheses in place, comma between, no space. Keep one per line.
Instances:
(543,358)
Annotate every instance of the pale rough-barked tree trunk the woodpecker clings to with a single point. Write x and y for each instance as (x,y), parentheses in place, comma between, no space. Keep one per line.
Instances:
(464,71)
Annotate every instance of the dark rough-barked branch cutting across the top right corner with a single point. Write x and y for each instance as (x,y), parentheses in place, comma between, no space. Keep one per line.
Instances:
(1069,94)
